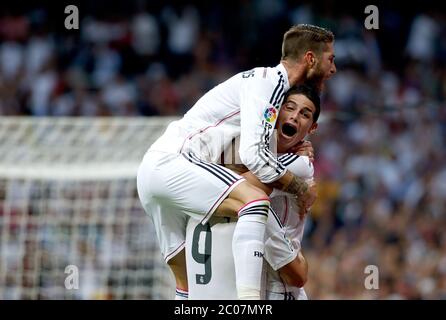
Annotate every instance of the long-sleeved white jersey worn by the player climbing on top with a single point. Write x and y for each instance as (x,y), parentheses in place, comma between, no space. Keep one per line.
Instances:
(246,105)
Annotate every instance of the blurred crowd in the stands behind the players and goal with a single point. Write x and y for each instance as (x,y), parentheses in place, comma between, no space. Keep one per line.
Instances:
(380,147)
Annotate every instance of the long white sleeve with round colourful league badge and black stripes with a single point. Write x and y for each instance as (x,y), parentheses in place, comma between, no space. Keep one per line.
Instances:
(261,99)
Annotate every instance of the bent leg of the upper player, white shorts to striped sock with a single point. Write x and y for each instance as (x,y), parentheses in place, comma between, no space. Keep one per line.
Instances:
(197,188)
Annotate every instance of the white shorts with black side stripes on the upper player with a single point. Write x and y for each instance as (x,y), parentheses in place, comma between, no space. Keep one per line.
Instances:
(173,187)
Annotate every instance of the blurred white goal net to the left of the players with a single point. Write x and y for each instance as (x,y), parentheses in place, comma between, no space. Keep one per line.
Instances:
(71,225)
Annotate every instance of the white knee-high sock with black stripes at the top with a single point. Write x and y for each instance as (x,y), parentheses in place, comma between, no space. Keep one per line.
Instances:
(248,247)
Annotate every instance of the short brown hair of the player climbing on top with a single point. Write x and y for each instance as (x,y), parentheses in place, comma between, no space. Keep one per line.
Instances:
(304,37)
